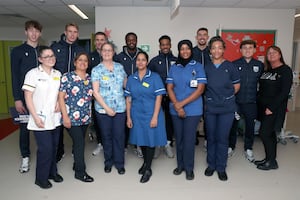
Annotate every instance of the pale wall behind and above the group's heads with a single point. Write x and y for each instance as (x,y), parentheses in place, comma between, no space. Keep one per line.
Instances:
(152,22)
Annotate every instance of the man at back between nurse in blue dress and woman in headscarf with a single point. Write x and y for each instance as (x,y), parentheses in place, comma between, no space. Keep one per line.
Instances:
(161,64)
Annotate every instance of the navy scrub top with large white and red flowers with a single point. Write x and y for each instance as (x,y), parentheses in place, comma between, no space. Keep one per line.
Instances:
(78,97)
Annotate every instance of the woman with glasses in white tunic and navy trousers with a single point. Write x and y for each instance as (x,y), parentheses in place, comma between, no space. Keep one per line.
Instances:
(40,87)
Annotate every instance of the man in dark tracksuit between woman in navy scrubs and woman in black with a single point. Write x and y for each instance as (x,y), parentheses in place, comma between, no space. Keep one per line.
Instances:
(250,70)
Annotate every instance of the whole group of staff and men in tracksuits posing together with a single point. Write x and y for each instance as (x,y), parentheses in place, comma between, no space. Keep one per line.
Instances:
(146,103)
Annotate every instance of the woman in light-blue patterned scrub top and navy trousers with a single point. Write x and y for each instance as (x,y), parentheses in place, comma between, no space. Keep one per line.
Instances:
(109,80)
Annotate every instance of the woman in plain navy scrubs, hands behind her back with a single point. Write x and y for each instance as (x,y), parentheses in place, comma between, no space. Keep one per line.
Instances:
(223,82)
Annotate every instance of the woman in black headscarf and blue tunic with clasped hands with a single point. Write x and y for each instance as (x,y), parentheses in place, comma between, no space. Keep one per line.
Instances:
(185,83)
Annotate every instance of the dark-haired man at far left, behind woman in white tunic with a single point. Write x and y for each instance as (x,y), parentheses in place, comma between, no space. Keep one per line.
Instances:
(24,58)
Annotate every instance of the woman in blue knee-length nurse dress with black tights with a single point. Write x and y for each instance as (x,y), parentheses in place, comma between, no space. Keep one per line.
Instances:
(145,118)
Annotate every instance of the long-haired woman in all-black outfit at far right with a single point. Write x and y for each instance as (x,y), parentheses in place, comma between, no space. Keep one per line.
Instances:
(274,88)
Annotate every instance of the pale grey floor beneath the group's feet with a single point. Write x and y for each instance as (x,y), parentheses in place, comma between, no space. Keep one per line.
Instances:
(245,181)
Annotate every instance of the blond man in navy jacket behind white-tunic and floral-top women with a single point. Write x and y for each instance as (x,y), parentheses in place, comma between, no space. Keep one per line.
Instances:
(65,51)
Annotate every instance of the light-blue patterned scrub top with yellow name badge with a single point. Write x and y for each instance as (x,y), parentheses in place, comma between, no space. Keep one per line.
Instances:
(110,87)
